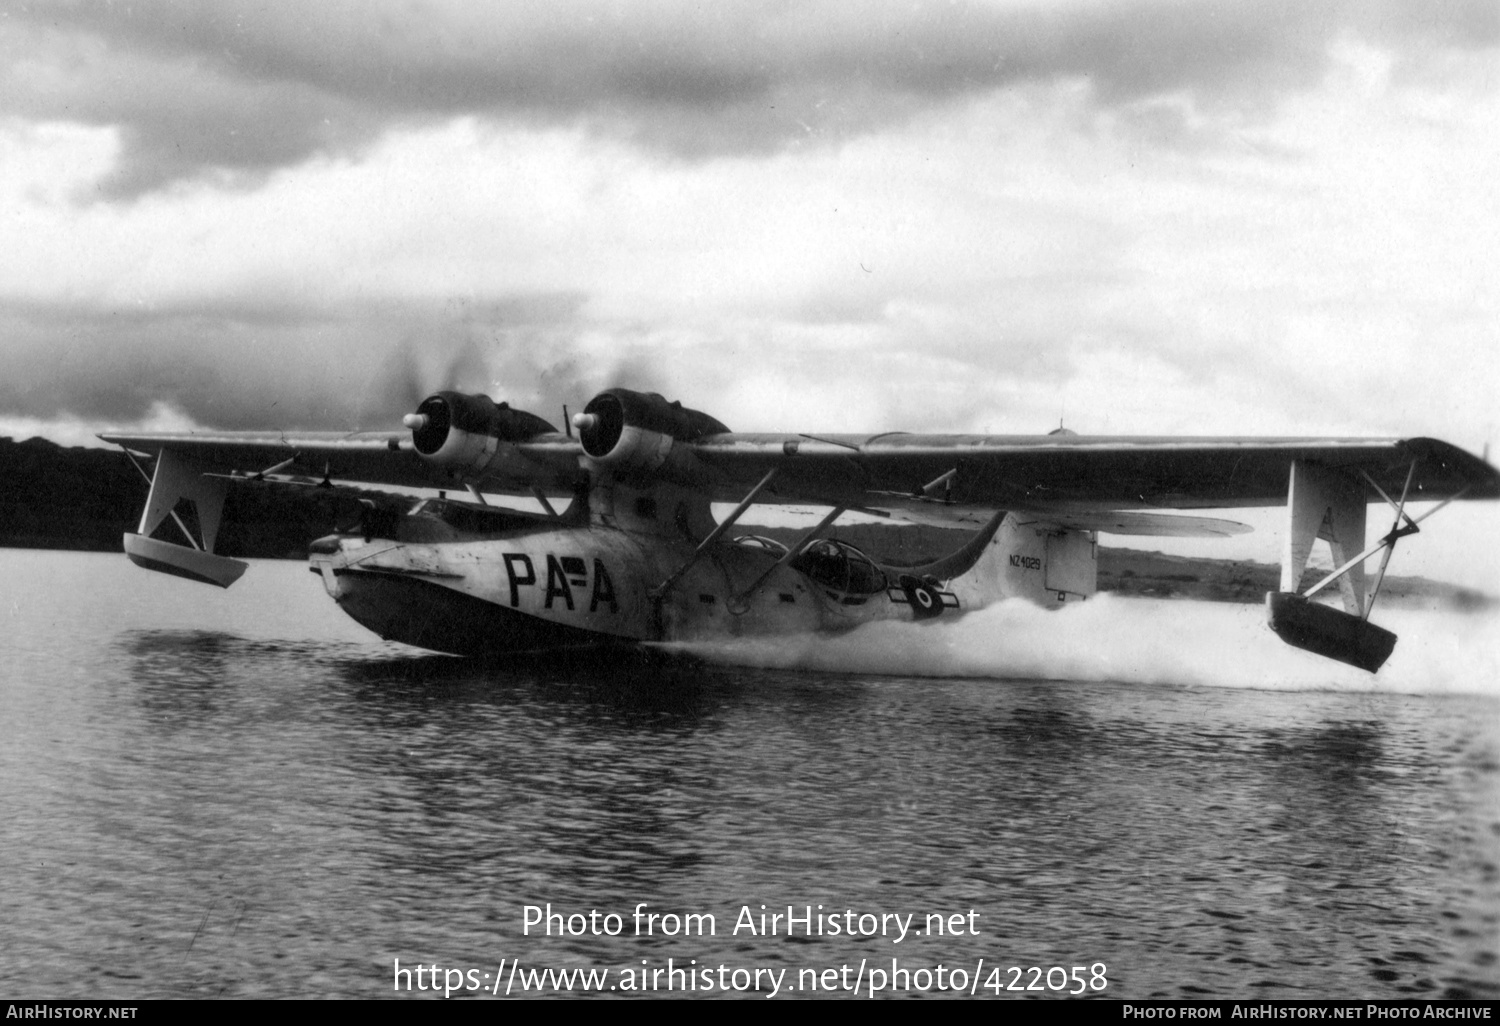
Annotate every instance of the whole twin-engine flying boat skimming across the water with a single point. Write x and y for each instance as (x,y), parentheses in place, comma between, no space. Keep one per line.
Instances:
(629,553)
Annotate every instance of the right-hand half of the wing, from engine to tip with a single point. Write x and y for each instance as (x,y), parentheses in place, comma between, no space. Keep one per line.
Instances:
(1081,473)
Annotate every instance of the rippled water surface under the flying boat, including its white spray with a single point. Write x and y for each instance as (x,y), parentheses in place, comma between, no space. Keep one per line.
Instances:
(245,794)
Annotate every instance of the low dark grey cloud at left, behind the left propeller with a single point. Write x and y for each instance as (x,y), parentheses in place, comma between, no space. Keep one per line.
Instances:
(241,370)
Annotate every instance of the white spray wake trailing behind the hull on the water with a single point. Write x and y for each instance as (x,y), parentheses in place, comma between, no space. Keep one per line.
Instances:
(1139,641)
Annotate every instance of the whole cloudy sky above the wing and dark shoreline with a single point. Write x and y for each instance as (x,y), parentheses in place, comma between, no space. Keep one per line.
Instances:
(1180,217)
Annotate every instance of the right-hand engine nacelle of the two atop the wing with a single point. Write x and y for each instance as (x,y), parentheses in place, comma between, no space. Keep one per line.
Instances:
(635,431)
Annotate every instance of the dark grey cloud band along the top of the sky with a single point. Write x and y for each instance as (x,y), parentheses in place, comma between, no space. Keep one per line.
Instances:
(241,91)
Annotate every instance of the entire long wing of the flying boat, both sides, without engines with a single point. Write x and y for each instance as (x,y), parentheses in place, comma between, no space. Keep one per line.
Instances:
(923,478)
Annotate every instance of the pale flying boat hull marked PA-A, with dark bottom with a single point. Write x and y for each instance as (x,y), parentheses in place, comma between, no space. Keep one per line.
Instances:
(589,586)
